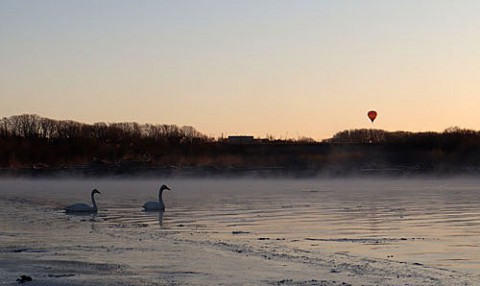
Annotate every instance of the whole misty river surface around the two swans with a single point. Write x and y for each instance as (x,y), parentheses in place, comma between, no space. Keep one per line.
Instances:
(429,223)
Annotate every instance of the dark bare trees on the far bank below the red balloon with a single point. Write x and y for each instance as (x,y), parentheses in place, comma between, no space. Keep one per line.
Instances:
(453,150)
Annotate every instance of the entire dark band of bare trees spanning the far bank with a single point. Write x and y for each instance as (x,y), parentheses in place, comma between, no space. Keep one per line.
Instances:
(32,141)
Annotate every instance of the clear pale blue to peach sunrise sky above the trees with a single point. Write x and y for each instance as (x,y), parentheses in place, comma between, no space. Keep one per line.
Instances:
(287,69)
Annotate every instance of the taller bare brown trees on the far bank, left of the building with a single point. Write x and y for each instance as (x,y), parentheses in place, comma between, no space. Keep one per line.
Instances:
(31,139)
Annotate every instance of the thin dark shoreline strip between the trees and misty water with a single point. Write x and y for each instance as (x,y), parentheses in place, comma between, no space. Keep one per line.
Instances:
(115,170)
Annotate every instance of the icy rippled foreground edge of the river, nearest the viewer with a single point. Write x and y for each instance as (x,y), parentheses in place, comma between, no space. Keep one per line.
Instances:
(196,263)
